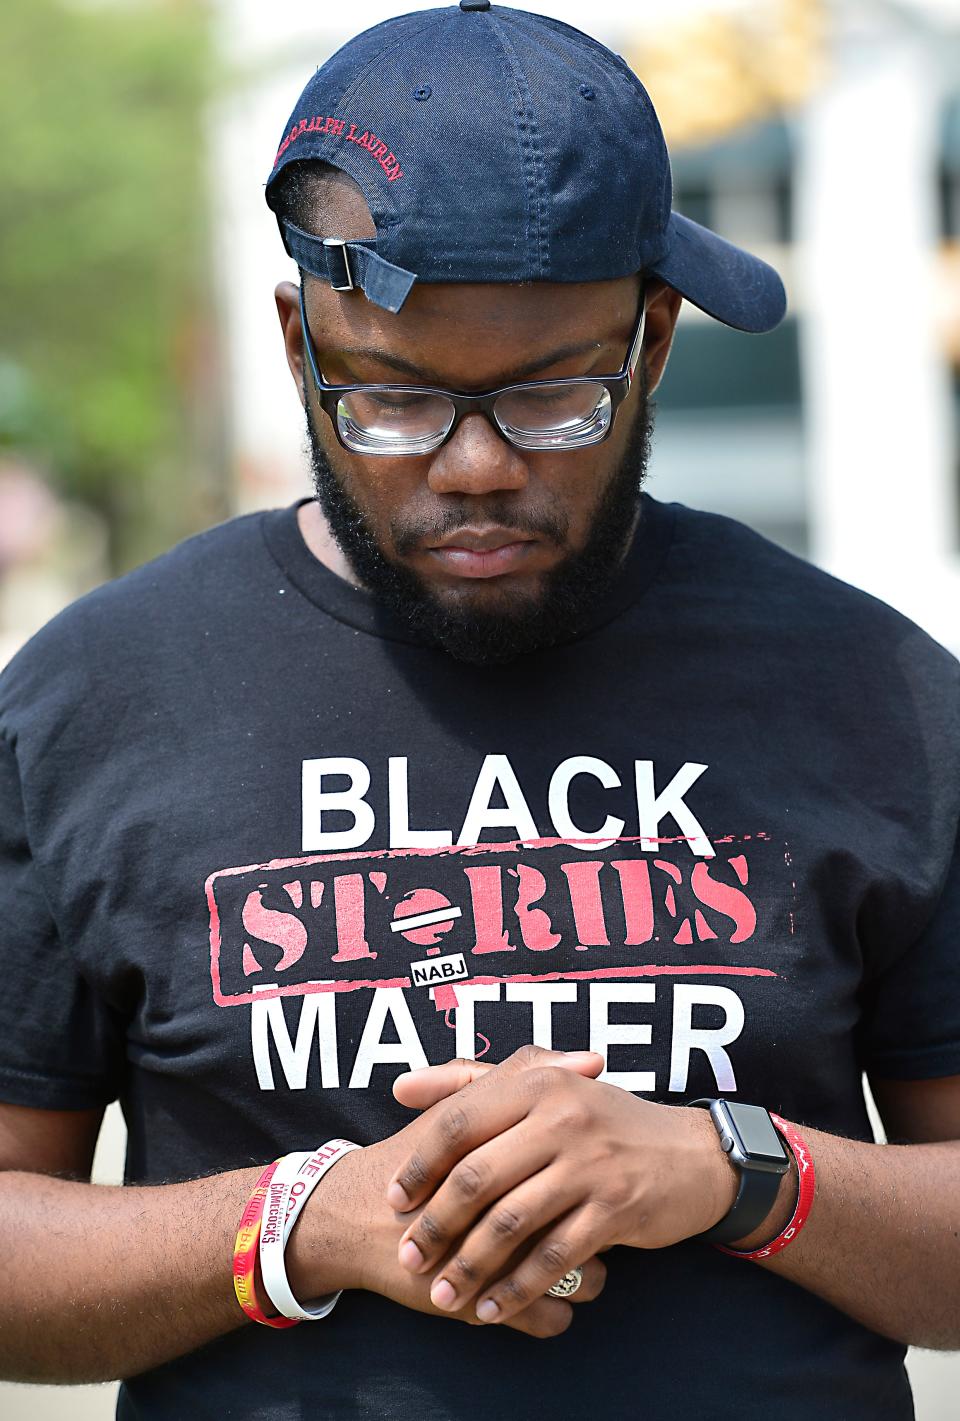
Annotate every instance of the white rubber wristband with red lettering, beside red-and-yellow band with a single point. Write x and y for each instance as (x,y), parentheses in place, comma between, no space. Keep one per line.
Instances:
(296,1179)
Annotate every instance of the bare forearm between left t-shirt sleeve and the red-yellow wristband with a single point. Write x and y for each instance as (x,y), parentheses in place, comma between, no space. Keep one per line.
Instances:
(104,1282)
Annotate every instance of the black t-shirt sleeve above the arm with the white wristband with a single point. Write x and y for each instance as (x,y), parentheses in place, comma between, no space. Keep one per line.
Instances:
(60,1044)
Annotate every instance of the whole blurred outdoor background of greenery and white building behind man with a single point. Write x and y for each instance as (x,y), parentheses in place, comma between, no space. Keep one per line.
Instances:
(144,391)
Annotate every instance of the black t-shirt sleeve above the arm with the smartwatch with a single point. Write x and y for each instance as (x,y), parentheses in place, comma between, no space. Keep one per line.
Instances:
(911,1024)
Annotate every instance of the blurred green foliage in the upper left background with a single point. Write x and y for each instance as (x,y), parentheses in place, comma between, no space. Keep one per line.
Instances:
(106,330)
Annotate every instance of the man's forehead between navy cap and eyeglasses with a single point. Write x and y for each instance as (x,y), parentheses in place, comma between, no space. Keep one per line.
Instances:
(475,332)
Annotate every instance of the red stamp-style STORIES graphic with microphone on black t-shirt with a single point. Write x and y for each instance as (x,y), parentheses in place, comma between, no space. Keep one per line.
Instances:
(526,912)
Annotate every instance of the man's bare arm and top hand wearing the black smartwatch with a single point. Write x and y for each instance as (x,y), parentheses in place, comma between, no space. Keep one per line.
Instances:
(883,1243)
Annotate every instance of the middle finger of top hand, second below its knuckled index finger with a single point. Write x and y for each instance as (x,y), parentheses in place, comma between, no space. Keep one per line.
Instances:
(486,1176)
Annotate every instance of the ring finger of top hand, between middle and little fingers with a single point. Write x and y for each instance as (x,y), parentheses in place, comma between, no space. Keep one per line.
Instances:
(509,1224)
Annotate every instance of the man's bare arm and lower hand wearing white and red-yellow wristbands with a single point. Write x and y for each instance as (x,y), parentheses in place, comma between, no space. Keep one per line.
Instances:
(106,1282)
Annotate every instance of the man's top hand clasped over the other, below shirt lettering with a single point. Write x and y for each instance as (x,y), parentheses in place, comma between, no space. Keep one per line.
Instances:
(530,1170)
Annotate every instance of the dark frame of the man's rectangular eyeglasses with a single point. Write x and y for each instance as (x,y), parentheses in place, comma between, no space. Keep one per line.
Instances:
(618,389)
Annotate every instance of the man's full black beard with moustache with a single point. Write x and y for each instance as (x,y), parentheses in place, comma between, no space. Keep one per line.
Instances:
(570,595)
